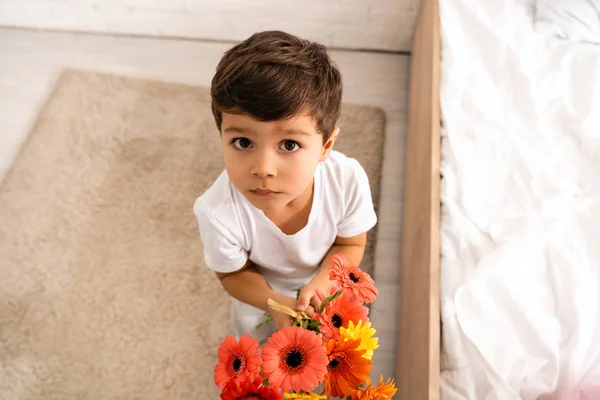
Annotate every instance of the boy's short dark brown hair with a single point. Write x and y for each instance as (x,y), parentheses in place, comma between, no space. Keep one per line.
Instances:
(274,75)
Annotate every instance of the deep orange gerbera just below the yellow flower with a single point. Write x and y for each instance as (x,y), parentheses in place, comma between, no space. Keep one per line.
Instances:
(347,368)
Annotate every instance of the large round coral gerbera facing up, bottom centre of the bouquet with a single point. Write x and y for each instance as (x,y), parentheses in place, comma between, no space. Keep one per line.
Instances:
(294,358)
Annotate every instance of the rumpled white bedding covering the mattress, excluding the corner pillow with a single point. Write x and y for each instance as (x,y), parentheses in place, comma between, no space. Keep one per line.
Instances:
(520,206)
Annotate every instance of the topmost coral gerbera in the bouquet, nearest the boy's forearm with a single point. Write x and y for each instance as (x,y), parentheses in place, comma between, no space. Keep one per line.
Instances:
(355,283)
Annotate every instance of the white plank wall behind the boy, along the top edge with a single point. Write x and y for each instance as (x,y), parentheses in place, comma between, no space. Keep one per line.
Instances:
(355,24)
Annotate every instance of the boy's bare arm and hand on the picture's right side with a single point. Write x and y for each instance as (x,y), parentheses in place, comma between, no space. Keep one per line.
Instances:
(353,248)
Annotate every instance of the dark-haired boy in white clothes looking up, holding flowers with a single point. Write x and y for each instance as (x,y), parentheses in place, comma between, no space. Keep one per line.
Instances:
(286,202)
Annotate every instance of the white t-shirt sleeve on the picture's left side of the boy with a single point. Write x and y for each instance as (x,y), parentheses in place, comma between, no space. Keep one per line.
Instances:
(222,251)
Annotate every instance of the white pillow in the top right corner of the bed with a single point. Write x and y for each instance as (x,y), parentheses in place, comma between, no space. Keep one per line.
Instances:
(575,20)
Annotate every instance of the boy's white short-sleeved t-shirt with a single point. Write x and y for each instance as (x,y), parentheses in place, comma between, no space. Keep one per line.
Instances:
(233,230)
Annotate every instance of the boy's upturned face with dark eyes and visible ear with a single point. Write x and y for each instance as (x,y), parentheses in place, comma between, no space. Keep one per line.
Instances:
(272,163)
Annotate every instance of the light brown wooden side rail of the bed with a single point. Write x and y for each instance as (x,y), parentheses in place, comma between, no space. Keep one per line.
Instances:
(418,358)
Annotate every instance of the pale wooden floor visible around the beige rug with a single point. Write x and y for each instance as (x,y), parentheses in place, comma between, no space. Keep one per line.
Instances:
(30,61)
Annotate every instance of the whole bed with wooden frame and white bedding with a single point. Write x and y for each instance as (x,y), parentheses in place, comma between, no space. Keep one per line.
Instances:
(500,281)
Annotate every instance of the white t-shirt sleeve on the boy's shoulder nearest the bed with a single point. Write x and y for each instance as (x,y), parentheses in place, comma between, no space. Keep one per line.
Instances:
(359,215)
